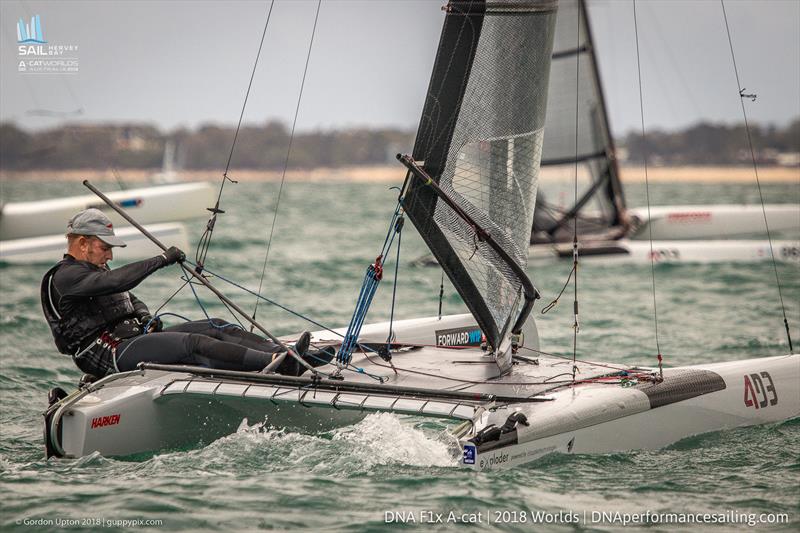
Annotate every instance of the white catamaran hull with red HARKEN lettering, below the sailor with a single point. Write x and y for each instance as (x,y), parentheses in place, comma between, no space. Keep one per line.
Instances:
(139,412)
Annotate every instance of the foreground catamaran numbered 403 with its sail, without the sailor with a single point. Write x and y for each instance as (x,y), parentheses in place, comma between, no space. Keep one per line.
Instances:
(470,191)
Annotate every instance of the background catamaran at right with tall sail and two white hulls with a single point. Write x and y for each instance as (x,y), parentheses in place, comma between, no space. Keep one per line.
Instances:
(607,227)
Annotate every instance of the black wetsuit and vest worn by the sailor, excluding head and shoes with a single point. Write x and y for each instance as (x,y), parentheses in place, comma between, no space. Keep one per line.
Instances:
(99,323)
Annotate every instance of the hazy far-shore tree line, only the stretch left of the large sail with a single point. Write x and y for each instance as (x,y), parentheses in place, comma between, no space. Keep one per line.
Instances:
(134,146)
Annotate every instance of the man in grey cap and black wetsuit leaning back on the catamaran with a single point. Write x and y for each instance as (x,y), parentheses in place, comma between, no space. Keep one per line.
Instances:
(96,320)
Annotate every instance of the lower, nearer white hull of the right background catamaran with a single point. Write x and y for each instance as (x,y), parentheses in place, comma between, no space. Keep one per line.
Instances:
(700,251)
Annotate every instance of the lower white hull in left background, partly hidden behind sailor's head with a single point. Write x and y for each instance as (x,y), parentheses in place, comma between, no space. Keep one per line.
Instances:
(49,249)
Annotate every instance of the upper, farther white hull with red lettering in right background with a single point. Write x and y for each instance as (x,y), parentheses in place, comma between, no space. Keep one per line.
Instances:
(679,222)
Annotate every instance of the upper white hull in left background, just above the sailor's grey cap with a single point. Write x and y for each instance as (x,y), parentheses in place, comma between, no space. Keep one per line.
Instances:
(148,205)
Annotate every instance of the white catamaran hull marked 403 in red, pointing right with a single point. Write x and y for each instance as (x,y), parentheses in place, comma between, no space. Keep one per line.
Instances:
(609,418)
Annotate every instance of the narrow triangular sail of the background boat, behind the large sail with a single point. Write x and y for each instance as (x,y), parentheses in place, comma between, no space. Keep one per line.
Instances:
(601,203)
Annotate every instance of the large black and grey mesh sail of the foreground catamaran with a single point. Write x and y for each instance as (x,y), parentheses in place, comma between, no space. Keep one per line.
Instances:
(480,139)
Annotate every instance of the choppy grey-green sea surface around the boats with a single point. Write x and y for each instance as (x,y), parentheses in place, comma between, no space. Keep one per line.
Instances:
(365,477)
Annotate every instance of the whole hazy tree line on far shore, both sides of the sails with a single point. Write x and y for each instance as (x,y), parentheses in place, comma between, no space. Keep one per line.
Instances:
(264,147)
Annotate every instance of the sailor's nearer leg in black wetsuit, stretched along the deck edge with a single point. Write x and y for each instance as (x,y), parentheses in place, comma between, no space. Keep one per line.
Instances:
(190,349)
